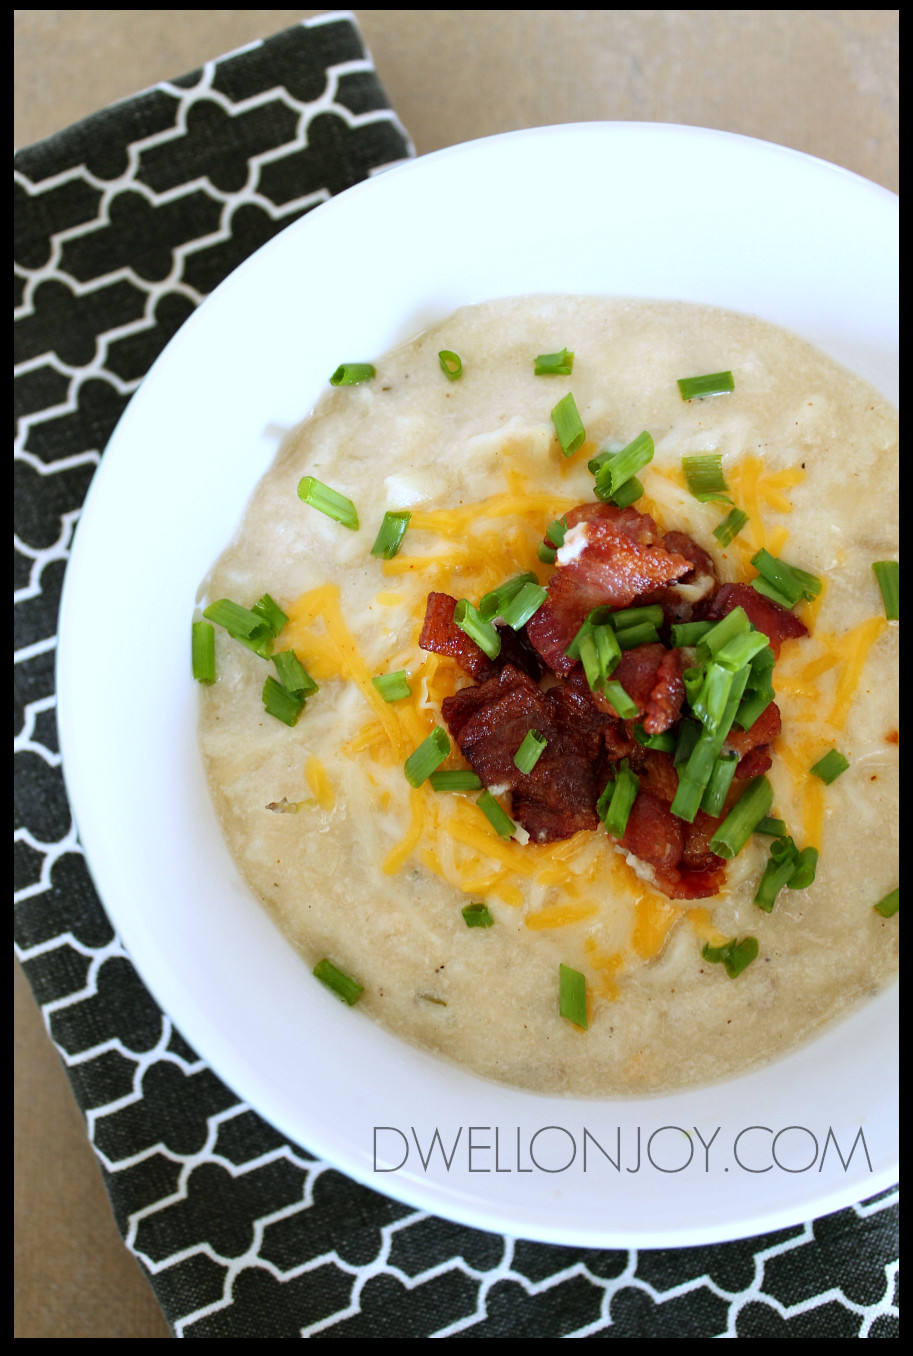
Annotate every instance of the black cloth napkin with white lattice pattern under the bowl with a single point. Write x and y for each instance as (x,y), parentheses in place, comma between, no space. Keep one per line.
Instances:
(124,224)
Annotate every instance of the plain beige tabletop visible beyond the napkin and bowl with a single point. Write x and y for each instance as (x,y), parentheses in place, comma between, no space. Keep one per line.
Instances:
(820,81)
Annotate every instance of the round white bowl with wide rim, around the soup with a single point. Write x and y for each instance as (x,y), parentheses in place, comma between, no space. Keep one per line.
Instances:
(632,210)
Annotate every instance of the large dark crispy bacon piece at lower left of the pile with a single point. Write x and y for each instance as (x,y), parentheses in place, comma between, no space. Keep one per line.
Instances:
(558,798)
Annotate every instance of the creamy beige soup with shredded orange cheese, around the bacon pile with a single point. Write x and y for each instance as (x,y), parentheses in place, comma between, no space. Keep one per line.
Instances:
(360,869)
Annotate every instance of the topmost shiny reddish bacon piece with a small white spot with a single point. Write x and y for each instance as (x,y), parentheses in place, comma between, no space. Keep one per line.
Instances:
(622,559)
